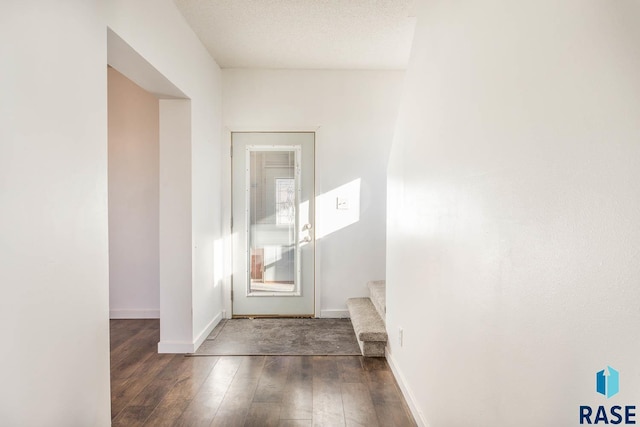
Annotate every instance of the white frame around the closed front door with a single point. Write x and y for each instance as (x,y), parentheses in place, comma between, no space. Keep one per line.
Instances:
(227,209)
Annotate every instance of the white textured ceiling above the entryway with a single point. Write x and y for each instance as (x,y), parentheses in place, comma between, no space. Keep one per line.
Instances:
(318,34)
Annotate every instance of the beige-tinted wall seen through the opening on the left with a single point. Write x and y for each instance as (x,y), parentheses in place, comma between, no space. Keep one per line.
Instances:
(133,133)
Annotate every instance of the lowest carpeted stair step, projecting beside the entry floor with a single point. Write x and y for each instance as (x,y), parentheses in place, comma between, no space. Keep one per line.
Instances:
(368,326)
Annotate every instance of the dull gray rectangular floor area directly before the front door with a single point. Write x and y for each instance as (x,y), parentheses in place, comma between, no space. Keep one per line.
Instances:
(281,337)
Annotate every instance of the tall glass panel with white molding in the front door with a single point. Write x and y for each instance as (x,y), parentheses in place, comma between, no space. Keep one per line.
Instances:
(273,194)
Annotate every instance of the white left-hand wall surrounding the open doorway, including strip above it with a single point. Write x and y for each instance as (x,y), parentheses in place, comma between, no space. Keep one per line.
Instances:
(54,300)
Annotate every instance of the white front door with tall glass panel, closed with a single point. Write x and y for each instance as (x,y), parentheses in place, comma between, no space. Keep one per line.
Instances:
(273,223)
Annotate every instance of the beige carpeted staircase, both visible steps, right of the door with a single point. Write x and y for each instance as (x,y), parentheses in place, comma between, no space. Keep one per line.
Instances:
(367,317)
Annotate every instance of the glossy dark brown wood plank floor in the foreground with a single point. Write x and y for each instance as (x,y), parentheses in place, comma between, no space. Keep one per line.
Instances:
(153,389)
